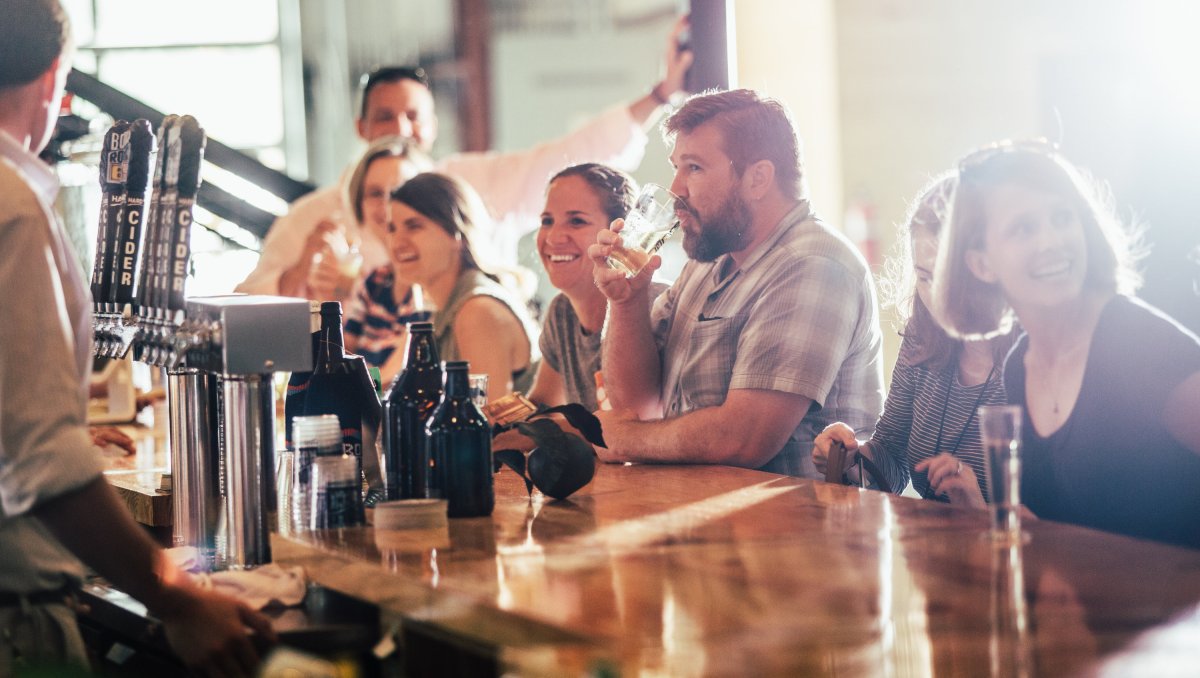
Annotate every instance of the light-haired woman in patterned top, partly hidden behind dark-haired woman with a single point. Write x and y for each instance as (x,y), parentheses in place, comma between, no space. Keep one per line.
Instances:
(377,313)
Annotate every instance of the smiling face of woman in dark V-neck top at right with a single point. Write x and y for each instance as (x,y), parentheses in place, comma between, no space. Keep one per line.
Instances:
(1035,248)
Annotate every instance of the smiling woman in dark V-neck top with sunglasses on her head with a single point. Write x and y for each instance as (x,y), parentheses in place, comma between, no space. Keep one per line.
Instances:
(1111,386)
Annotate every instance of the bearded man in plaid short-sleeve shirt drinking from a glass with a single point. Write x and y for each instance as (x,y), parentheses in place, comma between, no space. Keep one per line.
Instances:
(772,331)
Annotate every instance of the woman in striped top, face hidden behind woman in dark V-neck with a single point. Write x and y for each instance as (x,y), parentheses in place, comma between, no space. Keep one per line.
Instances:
(929,431)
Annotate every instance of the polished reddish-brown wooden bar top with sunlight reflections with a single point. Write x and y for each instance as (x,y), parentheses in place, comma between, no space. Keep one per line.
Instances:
(716,571)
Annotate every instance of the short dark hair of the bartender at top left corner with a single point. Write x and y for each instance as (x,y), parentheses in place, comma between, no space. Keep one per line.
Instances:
(33,35)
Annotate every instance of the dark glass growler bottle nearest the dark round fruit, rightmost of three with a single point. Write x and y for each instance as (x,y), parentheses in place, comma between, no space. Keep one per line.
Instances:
(460,448)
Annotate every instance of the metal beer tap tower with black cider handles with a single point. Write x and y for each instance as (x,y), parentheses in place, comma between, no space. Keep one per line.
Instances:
(219,357)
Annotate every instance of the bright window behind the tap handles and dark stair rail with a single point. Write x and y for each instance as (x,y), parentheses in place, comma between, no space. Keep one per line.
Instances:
(196,59)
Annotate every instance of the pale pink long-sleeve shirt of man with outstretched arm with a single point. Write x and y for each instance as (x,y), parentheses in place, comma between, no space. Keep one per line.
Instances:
(512,184)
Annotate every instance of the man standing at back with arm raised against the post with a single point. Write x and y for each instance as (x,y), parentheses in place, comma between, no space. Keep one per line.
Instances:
(398,101)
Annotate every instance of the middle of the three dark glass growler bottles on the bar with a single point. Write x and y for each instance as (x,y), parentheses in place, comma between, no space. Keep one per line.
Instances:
(407,407)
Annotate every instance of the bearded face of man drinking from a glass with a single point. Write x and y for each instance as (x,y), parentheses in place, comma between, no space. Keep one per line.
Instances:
(716,219)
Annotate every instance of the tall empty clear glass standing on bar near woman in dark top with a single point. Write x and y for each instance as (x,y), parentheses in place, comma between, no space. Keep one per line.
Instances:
(1000,430)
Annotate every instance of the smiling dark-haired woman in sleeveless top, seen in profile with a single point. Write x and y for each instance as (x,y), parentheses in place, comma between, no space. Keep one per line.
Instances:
(434,226)
